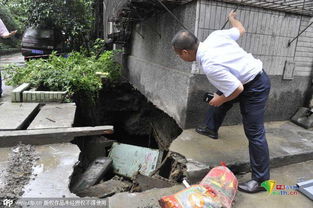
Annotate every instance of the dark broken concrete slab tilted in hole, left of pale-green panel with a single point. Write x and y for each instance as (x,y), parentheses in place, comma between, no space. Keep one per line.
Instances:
(93,174)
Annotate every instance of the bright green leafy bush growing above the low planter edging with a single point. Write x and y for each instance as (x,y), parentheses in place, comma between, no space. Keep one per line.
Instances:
(74,74)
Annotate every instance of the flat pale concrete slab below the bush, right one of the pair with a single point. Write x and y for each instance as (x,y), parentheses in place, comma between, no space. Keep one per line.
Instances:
(54,116)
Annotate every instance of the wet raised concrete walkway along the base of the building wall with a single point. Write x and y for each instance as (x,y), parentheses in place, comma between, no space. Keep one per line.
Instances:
(288,144)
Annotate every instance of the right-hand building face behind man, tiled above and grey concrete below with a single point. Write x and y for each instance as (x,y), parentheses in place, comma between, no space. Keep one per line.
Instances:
(267,36)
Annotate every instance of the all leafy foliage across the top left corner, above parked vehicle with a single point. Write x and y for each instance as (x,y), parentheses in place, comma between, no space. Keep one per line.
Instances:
(74,17)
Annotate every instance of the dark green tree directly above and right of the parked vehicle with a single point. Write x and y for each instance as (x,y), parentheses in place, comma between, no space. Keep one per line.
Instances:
(74,17)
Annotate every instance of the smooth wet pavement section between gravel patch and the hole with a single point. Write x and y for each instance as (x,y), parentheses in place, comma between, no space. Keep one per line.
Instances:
(53,171)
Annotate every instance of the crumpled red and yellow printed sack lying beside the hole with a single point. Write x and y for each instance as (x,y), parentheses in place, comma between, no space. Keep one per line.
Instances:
(217,189)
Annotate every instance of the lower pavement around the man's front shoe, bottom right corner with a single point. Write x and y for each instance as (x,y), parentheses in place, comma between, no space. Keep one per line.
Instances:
(288,176)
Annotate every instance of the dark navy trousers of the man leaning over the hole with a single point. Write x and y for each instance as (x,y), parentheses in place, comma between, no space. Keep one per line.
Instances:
(252,106)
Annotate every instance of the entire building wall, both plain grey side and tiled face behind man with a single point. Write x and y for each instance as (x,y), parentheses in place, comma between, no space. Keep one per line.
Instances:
(177,87)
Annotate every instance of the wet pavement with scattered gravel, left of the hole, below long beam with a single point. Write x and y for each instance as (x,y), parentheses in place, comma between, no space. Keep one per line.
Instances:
(44,171)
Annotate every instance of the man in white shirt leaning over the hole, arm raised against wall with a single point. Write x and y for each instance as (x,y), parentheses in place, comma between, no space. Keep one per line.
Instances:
(238,76)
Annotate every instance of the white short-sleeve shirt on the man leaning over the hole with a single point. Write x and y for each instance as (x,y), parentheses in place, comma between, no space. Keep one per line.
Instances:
(225,63)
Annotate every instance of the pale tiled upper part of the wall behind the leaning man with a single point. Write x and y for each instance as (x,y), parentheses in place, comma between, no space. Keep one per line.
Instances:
(267,36)
